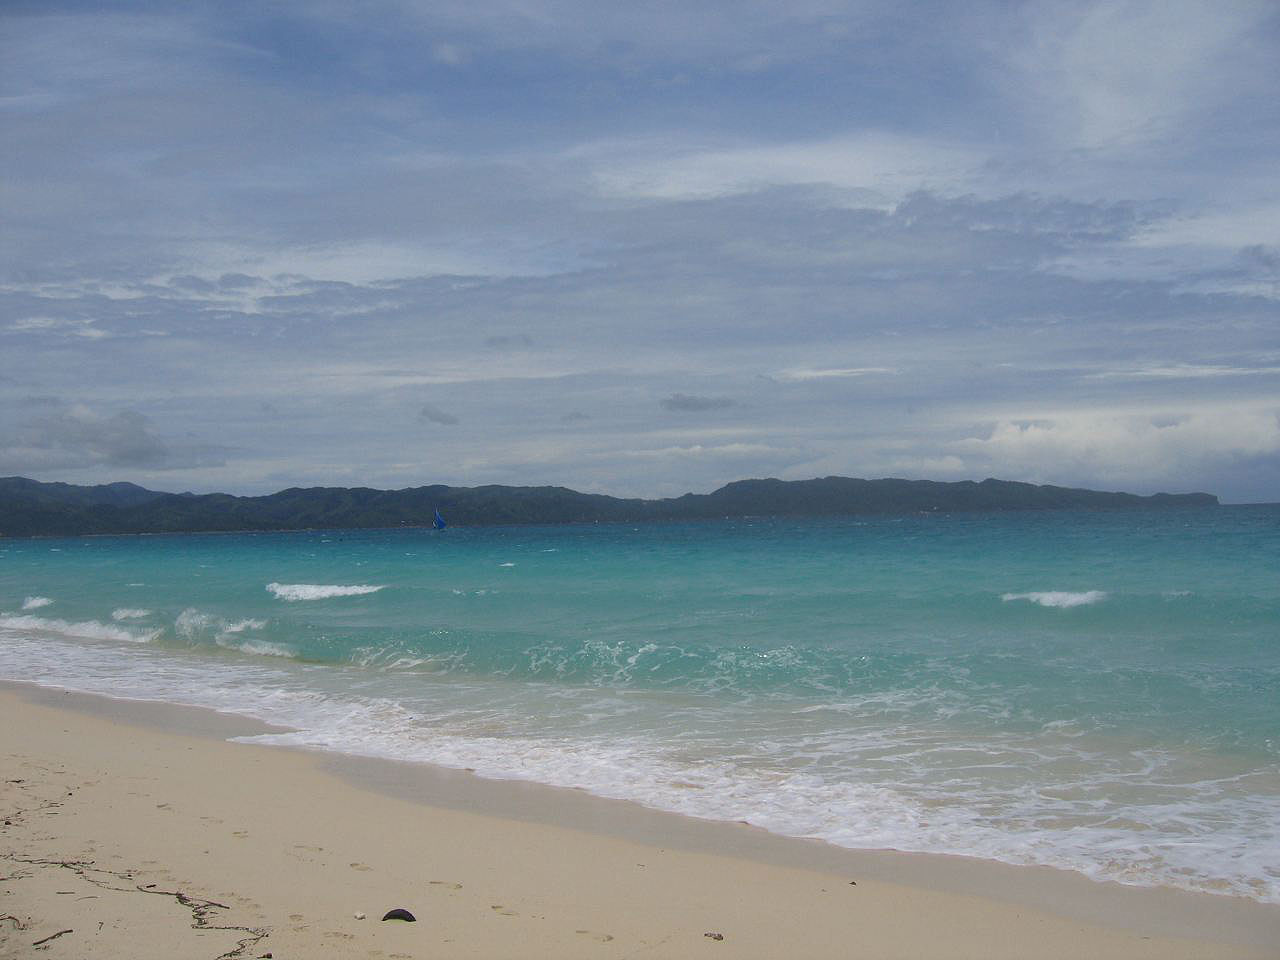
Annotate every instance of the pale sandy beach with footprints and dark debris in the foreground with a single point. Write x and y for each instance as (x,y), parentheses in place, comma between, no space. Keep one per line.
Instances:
(136,830)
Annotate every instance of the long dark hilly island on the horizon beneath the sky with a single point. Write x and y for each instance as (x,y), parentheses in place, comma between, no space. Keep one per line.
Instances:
(35,509)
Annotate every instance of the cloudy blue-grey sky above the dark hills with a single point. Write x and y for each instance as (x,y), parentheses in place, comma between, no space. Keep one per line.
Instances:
(641,249)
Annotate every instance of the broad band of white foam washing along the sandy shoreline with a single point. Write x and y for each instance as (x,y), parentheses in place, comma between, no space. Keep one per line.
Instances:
(479,728)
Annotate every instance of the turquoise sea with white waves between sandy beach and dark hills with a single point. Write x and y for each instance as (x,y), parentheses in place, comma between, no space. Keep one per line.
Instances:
(1095,692)
